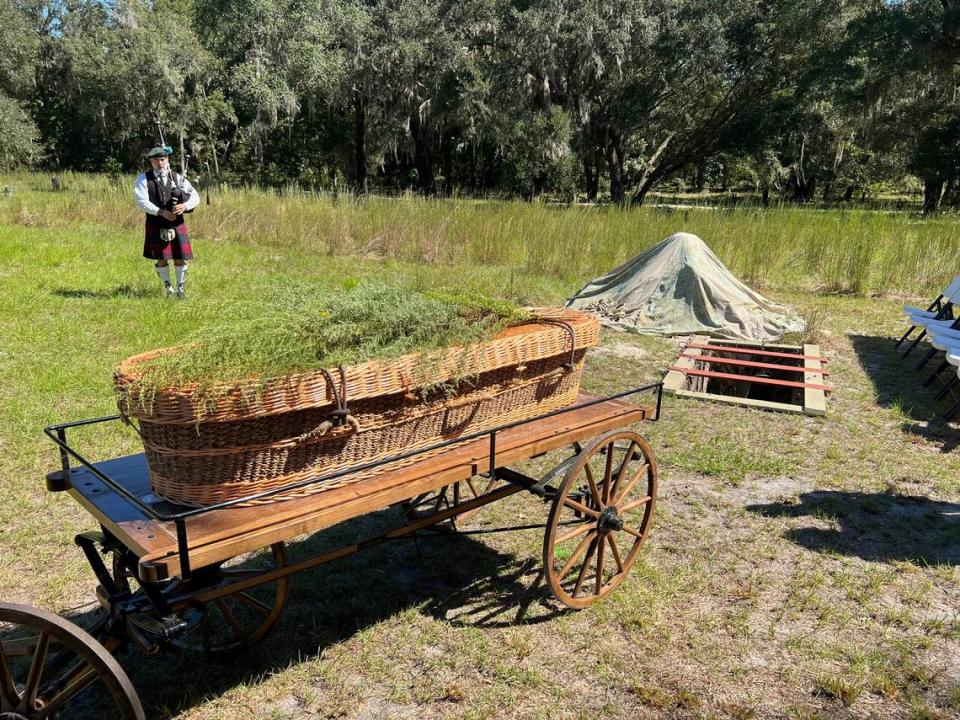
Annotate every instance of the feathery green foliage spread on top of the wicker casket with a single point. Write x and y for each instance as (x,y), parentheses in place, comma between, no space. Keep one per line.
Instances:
(300,327)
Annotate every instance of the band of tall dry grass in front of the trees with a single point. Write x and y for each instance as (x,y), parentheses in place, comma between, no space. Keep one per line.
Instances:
(846,251)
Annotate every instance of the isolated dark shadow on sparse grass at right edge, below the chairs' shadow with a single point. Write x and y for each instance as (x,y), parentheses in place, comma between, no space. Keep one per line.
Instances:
(875,526)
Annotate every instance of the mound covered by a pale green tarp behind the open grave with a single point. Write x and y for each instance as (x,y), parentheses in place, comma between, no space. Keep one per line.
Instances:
(679,287)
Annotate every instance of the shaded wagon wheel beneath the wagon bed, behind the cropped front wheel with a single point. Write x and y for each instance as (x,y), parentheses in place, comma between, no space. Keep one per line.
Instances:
(242,618)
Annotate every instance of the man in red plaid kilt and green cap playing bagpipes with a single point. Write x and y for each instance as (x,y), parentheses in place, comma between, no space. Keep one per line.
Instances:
(165,196)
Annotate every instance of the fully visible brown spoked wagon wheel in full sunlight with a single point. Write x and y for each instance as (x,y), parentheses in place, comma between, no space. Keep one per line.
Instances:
(600,518)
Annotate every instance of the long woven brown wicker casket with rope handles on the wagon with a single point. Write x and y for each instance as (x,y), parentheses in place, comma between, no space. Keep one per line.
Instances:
(260,435)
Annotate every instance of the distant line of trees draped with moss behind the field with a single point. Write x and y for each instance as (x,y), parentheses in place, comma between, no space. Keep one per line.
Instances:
(796,99)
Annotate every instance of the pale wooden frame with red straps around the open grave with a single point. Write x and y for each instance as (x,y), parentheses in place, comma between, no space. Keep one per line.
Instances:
(814,394)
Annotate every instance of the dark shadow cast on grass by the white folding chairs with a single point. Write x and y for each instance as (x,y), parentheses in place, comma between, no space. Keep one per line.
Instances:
(898,383)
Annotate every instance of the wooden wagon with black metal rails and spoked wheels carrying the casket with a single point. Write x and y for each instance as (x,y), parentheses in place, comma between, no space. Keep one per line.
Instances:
(218,577)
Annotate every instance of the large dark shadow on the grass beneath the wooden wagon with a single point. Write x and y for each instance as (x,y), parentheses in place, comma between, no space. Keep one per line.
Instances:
(446,576)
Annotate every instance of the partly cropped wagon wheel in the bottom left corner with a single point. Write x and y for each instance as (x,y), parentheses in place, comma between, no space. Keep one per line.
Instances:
(45,664)
